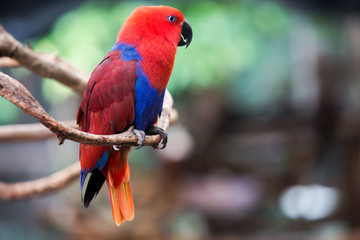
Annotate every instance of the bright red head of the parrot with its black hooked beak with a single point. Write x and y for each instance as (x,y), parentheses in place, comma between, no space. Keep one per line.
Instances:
(158,23)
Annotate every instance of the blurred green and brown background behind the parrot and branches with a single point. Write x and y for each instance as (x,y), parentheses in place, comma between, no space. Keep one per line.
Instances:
(268,141)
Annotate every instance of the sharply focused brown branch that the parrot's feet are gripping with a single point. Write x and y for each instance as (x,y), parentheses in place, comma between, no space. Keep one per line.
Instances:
(16,93)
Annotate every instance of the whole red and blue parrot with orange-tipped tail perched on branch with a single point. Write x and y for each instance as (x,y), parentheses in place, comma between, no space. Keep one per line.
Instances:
(127,89)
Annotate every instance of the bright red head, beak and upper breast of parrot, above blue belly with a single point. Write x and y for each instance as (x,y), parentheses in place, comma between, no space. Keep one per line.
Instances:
(155,31)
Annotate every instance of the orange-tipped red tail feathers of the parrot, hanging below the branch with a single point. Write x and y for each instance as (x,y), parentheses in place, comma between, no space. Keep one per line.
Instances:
(118,182)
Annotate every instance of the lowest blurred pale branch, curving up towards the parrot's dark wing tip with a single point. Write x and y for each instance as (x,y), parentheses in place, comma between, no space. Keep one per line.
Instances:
(41,186)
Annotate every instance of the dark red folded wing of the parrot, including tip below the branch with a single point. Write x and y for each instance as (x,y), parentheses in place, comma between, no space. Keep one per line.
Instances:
(107,106)
